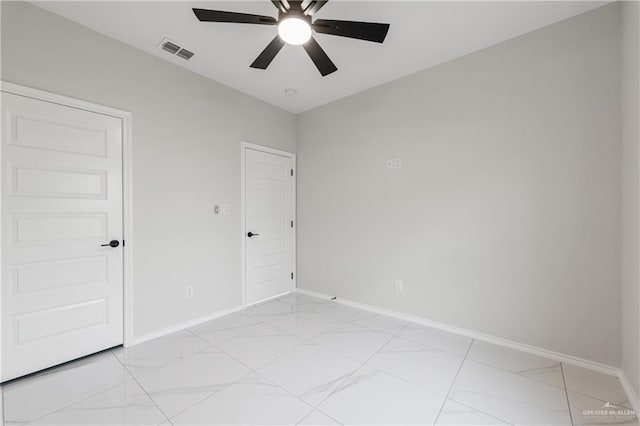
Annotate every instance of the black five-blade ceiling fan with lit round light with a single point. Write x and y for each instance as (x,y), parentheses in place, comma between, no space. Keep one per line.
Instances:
(295,26)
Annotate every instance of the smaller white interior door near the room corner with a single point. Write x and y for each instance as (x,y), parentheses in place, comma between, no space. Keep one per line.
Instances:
(269,226)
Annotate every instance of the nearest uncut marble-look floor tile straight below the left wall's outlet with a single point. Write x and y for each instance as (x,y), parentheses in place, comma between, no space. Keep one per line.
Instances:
(182,384)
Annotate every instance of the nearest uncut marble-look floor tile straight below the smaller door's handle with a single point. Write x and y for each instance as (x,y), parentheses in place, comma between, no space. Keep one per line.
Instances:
(259,345)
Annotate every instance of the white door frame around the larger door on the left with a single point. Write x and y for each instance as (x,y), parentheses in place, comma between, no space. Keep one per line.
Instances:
(127,186)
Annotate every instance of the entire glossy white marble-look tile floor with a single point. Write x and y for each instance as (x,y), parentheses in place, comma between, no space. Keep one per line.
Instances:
(308,361)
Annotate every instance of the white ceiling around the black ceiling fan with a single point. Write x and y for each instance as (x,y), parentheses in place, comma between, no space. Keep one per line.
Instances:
(422,34)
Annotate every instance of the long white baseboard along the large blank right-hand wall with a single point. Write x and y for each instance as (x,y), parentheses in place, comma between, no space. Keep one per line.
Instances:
(535,350)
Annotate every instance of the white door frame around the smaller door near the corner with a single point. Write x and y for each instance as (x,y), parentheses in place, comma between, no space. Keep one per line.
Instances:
(243,231)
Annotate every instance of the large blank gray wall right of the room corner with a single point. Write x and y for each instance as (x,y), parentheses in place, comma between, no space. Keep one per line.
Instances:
(505,215)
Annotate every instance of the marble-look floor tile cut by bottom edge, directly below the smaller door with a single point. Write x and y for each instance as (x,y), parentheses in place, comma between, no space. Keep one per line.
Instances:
(253,400)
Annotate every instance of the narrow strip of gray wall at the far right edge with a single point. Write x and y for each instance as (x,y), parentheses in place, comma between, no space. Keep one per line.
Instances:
(631,192)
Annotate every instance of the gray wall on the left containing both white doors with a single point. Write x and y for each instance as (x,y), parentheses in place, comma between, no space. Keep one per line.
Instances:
(186,155)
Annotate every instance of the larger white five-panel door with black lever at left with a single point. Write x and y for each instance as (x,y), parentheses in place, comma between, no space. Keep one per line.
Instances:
(62,291)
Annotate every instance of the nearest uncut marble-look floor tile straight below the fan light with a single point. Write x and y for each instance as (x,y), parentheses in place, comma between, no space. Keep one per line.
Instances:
(310,372)
